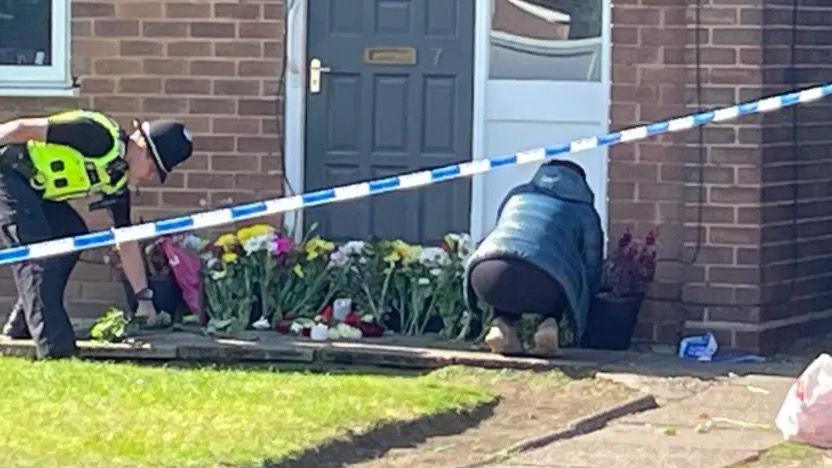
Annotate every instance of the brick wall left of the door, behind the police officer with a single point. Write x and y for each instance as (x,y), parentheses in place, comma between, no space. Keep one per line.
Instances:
(214,65)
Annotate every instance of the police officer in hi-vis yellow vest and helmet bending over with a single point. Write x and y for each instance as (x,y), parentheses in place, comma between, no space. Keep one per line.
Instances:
(46,162)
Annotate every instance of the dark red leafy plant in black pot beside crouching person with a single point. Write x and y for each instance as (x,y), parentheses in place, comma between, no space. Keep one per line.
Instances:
(627,275)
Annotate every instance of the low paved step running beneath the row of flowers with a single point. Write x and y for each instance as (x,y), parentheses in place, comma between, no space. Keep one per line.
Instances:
(269,347)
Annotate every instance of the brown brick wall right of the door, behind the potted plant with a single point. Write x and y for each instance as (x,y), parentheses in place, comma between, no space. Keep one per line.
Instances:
(726,263)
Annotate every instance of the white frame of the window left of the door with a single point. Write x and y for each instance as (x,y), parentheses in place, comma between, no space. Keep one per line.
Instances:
(47,80)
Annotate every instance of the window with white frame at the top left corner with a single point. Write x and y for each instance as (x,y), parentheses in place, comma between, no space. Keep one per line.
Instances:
(34,47)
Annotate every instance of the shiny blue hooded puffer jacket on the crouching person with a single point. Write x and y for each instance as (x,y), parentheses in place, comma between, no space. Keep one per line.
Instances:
(552,223)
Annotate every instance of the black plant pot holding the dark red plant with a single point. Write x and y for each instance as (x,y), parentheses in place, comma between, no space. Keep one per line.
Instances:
(612,321)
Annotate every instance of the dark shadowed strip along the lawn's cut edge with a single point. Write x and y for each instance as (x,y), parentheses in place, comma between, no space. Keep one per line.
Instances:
(357,448)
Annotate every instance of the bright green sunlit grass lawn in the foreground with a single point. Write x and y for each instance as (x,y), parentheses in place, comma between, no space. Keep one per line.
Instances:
(78,413)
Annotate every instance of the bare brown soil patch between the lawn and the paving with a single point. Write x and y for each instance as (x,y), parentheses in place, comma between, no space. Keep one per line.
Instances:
(530,404)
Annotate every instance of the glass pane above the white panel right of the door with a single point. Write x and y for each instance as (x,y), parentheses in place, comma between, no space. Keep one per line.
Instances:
(554,40)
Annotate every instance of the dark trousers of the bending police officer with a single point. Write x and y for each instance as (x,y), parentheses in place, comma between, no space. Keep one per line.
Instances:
(26,218)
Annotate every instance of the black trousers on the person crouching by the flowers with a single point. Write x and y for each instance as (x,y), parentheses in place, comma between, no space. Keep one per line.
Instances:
(514,287)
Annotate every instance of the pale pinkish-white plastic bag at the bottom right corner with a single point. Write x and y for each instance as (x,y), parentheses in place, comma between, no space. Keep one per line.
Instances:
(806,414)
